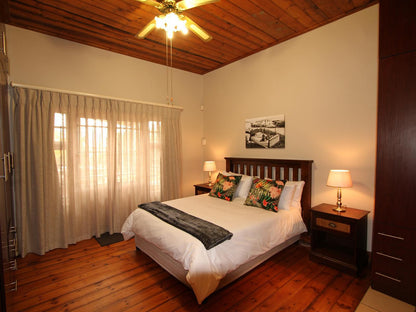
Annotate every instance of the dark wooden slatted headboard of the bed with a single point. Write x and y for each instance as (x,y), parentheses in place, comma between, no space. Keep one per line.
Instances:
(288,169)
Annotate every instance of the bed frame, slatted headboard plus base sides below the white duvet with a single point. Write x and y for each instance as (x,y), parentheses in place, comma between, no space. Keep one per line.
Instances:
(296,170)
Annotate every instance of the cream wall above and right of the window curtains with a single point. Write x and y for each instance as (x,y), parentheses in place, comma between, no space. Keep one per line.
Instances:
(41,60)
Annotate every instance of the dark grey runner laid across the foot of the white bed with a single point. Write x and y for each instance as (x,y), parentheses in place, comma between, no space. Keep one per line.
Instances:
(208,233)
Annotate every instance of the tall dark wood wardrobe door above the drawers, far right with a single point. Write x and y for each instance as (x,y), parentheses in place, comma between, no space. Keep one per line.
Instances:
(396,135)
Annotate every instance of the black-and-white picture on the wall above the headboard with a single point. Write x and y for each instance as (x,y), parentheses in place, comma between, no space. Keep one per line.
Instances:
(265,132)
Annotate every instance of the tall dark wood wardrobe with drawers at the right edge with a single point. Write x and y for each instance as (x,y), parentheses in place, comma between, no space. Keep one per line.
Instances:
(394,237)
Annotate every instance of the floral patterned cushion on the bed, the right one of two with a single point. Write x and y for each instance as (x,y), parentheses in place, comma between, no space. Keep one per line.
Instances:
(265,194)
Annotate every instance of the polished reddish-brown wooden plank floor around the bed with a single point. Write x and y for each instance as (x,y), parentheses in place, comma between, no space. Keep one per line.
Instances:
(87,277)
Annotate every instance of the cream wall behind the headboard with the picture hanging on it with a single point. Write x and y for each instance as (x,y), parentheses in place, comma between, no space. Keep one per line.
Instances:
(325,83)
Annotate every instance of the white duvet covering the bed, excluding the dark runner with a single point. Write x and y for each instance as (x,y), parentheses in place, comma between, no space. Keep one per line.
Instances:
(255,231)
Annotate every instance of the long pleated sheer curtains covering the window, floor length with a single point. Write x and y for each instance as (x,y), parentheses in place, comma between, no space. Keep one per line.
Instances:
(84,163)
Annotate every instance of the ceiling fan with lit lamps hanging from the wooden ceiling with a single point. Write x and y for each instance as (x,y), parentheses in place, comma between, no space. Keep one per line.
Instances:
(173,20)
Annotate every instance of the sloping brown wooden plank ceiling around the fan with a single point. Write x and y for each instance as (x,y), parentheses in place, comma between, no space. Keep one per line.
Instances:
(239,27)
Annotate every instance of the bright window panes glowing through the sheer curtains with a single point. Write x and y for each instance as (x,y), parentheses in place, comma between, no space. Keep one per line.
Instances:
(94,158)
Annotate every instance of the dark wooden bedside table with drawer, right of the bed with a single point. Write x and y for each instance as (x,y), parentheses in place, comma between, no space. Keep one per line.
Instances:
(339,239)
